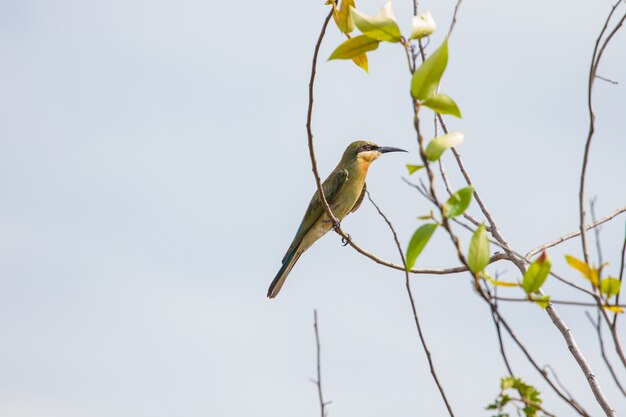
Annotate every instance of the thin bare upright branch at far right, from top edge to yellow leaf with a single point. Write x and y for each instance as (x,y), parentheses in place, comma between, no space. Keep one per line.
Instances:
(595,62)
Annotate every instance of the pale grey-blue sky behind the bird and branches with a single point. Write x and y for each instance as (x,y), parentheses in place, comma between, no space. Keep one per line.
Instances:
(154,168)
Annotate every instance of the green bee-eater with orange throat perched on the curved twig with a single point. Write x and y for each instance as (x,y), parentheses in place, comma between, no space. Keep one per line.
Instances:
(344,190)
